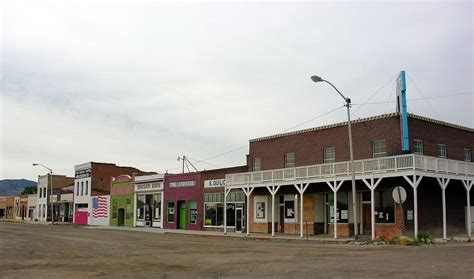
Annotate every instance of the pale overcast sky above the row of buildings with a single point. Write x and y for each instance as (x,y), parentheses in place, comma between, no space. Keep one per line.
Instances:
(141,84)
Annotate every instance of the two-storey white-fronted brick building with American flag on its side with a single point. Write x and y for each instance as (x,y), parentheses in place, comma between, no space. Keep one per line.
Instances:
(92,180)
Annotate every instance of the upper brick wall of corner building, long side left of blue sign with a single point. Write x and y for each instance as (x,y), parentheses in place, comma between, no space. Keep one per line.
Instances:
(309,146)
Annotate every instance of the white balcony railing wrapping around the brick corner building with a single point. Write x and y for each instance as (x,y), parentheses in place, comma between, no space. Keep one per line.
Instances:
(368,166)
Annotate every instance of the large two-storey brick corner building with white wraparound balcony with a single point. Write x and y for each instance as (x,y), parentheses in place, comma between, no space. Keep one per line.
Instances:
(300,181)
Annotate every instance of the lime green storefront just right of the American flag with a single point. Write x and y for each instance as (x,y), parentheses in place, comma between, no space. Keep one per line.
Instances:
(121,210)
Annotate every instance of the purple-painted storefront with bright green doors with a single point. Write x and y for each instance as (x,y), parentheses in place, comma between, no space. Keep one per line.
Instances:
(183,201)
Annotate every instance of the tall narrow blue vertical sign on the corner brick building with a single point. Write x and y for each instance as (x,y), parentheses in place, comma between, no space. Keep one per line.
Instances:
(402,110)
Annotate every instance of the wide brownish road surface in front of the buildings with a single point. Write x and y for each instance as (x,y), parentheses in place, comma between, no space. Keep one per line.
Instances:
(66,251)
